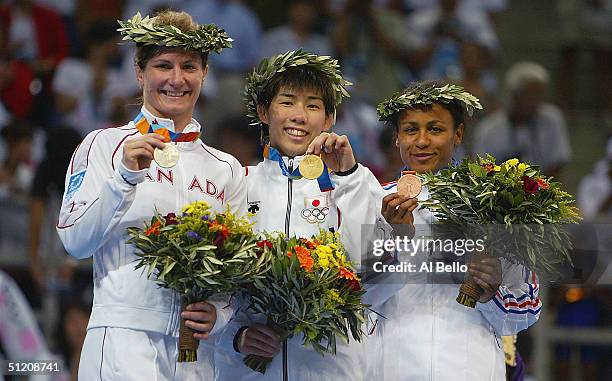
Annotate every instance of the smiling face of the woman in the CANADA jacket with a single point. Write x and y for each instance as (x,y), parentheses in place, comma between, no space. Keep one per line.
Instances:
(171,83)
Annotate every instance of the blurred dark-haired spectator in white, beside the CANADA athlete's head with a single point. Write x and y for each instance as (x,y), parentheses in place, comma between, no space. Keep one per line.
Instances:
(88,92)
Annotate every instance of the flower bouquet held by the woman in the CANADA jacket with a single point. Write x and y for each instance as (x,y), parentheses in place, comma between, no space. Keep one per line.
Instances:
(199,254)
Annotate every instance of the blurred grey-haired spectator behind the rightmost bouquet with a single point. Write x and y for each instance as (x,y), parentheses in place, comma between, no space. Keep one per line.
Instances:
(527,127)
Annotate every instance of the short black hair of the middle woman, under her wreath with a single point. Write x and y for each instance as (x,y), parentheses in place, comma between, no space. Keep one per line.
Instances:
(300,77)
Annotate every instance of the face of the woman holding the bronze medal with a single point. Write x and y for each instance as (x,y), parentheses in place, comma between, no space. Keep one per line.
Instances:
(427,138)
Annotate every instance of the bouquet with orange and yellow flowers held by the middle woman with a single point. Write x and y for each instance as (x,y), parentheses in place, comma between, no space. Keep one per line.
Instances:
(312,290)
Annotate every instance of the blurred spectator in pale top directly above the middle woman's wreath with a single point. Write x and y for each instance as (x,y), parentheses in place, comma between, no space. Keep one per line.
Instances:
(298,33)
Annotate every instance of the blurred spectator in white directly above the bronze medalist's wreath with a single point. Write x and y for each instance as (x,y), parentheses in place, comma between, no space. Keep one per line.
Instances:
(438,33)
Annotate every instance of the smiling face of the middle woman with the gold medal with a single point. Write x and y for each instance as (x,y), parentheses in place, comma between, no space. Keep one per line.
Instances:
(295,118)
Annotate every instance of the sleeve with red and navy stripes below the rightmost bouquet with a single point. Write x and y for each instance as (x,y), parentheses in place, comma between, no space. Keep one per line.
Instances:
(516,305)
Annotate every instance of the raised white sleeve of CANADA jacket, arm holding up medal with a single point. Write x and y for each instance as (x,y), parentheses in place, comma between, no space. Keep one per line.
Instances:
(95,197)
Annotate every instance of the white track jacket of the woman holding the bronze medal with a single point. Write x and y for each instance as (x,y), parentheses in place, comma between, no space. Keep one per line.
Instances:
(427,335)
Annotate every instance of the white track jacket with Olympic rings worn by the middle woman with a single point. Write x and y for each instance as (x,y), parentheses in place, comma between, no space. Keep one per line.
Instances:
(298,207)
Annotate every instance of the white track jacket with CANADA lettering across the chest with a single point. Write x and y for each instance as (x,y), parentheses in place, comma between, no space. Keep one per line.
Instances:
(100,204)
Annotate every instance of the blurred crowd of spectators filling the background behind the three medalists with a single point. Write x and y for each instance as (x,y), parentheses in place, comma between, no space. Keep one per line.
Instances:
(64,73)
